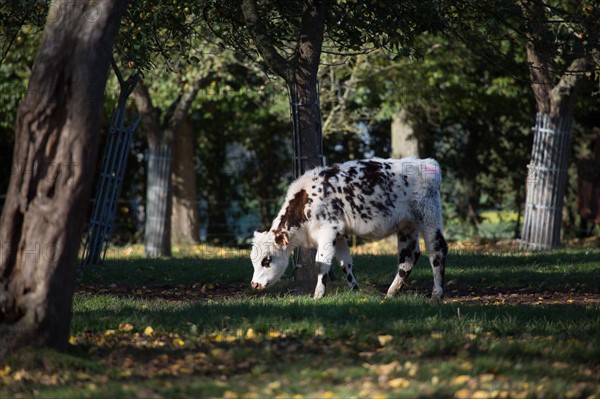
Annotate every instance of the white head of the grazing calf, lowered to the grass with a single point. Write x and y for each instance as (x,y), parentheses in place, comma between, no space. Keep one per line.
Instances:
(269,257)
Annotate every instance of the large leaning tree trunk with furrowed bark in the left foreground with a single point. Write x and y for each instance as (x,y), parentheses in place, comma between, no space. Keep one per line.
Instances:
(57,139)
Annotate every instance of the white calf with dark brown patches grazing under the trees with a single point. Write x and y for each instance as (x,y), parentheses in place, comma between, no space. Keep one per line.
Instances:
(372,199)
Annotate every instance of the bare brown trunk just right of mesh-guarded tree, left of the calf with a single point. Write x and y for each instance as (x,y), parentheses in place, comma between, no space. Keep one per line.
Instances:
(184,216)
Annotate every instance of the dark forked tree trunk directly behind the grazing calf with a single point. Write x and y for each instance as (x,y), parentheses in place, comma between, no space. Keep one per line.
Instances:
(300,74)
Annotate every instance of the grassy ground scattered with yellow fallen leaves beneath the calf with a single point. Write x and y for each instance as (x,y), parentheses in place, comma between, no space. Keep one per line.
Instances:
(512,325)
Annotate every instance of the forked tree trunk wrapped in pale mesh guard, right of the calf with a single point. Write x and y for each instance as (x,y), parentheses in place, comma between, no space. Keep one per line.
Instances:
(555,95)
